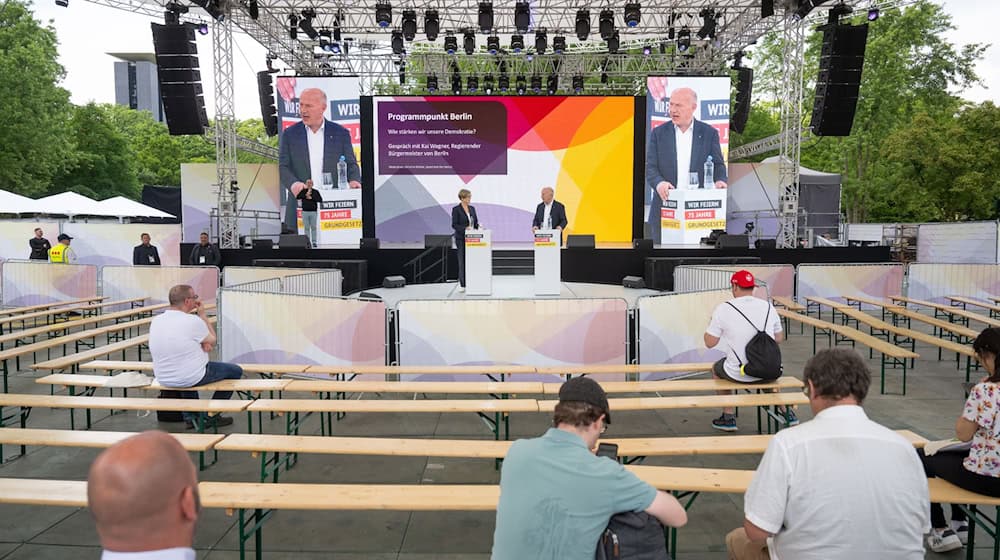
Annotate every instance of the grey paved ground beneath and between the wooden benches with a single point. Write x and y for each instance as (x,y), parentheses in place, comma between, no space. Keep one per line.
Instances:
(933,401)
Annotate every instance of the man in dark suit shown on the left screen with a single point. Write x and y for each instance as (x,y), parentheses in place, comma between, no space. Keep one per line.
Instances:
(310,148)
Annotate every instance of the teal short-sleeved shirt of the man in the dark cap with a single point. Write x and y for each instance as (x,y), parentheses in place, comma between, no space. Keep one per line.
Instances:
(556,498)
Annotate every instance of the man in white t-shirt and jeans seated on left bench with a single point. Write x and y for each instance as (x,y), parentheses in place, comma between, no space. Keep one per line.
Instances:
(180,342)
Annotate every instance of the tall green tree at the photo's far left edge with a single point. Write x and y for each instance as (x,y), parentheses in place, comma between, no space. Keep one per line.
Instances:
(36,137)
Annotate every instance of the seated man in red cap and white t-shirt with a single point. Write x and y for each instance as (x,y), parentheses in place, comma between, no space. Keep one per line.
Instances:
(735,331)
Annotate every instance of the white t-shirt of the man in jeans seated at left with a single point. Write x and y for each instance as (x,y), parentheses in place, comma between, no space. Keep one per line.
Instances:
(175,343)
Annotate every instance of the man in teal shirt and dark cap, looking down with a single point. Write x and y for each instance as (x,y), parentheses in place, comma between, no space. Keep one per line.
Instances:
(557,496)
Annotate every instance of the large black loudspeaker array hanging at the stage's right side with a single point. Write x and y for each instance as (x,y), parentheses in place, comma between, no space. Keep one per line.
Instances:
(841,60)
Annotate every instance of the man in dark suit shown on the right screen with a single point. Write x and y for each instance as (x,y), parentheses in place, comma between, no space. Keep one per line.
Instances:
(678,148)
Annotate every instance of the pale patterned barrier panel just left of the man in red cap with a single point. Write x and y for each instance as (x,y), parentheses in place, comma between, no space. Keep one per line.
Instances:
(672,328)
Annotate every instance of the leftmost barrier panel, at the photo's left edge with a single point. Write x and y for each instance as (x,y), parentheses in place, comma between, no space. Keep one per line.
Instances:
(32,282)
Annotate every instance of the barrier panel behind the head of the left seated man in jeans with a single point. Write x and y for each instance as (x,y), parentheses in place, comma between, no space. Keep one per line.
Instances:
(154,282)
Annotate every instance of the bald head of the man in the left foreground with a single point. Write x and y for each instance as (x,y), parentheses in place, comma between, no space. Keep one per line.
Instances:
(143,495)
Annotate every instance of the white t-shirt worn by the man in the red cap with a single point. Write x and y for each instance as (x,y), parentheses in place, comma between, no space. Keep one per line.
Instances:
(735,331)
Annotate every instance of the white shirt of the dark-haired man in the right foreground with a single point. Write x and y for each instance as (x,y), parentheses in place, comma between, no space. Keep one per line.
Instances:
(840,487)
